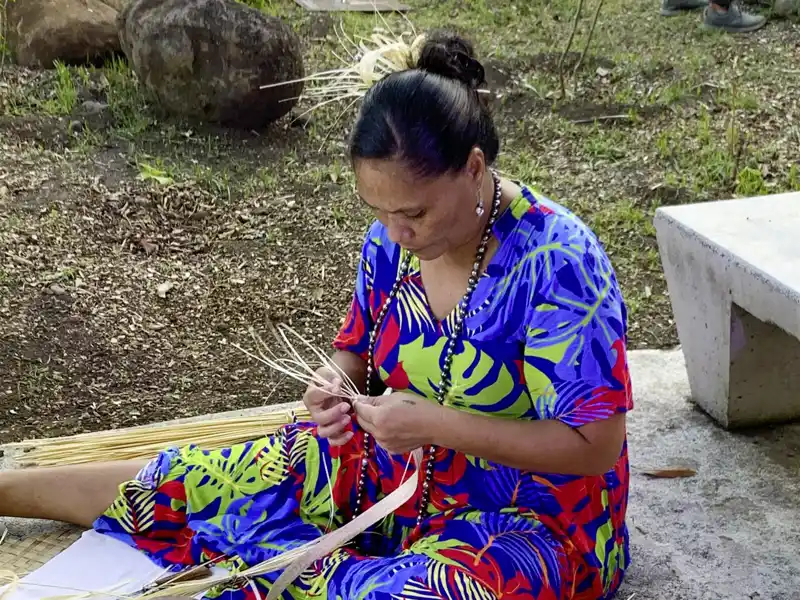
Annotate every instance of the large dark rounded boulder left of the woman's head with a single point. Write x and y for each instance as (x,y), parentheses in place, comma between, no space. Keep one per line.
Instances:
(208,59)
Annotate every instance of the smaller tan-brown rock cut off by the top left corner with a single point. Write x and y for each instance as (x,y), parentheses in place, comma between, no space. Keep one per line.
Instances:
(72,31)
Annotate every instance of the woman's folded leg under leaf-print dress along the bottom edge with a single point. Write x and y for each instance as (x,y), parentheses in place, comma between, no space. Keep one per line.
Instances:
(490,558)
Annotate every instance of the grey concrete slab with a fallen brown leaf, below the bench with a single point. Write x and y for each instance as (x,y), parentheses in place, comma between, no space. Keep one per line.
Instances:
(732,532)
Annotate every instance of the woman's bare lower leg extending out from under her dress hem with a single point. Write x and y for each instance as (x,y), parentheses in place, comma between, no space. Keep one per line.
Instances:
(75,494)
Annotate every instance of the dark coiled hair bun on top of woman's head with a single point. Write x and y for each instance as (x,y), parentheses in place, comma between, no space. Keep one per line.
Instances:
(446,54)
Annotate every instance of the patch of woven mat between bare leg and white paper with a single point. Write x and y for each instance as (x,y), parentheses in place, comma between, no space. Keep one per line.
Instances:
(24,555)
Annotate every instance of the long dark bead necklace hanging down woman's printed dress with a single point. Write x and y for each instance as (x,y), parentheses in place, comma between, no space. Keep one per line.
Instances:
(449,352)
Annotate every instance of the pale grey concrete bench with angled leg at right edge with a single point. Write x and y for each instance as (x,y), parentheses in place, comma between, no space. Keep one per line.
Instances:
(733,274)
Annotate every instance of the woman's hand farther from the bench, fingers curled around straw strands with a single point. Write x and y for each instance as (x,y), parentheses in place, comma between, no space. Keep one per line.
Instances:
(328,409)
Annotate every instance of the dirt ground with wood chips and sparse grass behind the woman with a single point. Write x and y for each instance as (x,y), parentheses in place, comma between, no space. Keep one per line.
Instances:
(135,249)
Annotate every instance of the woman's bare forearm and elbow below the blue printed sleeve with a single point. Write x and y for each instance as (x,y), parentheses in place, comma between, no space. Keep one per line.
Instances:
(547,446)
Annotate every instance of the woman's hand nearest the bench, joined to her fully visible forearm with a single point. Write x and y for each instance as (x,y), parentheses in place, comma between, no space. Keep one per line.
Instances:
(399,422)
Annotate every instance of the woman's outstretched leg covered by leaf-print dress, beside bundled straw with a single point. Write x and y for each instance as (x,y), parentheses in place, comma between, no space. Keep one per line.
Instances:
(240,505)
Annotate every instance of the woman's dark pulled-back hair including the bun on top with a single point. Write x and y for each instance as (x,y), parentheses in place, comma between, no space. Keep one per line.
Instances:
(430,116)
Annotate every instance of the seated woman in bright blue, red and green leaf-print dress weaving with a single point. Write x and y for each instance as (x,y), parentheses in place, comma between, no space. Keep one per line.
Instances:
(496,319)
